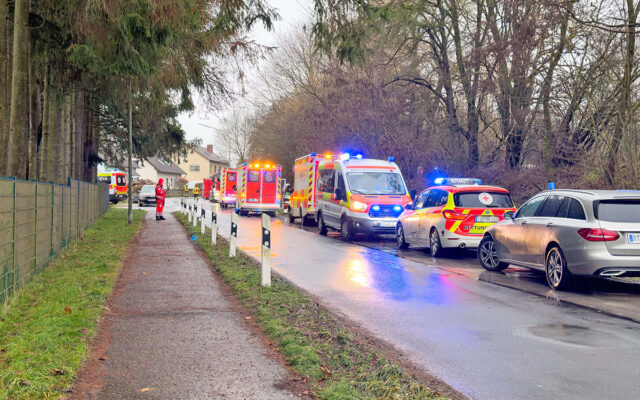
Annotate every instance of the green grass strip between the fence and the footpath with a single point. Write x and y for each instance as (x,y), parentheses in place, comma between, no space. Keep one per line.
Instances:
(45,332)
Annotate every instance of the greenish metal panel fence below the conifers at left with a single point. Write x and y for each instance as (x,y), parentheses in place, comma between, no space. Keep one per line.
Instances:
(38,220)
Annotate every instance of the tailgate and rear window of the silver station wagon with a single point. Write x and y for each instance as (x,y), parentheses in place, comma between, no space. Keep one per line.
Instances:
(623,216)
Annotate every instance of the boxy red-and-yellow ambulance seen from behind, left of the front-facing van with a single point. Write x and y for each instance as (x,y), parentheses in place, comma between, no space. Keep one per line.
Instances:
(259,188)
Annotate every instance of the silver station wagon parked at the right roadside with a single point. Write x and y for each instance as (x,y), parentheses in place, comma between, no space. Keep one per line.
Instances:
(568,233)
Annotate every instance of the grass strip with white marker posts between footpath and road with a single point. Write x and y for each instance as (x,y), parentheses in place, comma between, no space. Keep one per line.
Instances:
(316,344)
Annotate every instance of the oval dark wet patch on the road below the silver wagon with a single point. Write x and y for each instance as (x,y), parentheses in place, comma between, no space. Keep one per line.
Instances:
(575,335)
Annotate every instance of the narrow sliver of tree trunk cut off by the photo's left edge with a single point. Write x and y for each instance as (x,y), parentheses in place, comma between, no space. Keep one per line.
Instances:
(4,83)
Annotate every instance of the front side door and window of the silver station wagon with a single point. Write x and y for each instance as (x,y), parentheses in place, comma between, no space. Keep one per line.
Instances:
(511,236)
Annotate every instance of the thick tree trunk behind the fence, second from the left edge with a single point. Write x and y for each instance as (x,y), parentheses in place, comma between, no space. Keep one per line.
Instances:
(20,71)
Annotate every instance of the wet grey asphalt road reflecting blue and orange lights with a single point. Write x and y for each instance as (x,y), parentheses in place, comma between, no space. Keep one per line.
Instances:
(486,340)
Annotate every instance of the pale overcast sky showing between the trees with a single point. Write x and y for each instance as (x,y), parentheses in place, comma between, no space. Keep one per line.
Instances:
(292,13)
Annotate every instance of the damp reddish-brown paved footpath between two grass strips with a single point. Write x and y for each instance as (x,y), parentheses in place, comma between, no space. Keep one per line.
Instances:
(171,333)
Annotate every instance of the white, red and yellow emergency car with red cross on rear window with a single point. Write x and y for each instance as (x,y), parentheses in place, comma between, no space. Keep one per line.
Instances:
(453,214)
